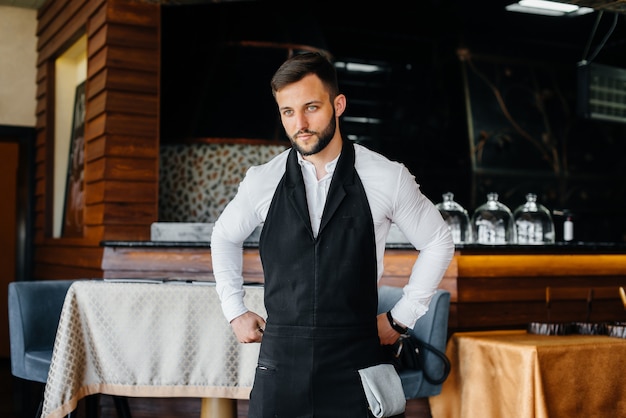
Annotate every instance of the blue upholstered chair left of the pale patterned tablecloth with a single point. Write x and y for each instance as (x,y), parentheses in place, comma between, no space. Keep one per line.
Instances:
(34,313)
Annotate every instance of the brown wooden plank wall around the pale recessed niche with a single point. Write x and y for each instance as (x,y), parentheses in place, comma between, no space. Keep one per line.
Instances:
(121,128)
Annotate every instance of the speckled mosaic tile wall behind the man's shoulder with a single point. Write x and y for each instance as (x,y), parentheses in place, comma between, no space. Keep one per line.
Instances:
(198,180)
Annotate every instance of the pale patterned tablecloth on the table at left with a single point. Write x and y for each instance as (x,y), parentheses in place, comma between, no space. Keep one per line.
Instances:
(147,340)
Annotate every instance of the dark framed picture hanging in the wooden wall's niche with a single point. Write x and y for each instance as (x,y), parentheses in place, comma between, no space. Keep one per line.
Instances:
(75,185)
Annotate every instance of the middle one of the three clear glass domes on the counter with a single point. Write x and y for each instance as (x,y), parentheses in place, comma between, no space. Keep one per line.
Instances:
(492,223)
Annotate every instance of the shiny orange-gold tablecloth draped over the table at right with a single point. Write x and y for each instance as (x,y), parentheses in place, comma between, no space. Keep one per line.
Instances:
(512,374)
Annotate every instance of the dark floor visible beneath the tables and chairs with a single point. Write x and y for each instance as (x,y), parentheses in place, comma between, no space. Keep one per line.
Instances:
(23,403)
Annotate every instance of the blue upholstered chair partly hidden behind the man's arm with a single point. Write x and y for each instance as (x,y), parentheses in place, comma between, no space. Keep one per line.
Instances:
(431,328)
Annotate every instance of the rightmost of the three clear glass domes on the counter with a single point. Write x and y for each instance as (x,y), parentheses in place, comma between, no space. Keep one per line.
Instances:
(533,222)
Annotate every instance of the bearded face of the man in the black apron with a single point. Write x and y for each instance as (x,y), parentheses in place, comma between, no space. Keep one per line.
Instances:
(307,114)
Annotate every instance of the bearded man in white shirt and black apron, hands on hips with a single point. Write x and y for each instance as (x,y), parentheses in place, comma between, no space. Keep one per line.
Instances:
(326,206)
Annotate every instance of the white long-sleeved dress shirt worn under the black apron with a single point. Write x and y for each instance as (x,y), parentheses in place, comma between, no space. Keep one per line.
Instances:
(394,197)
